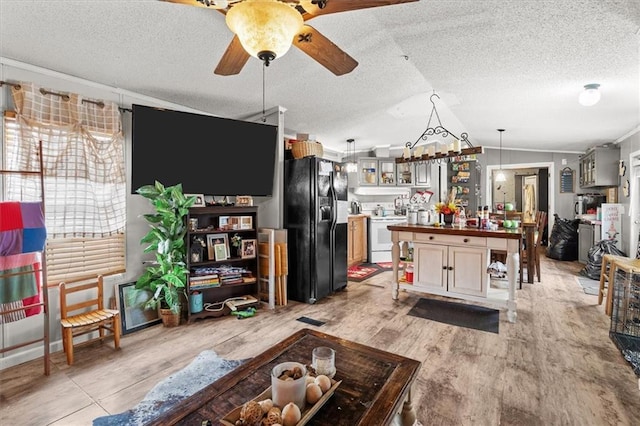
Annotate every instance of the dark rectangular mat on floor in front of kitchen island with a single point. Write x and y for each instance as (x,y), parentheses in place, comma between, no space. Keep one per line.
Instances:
(462,315)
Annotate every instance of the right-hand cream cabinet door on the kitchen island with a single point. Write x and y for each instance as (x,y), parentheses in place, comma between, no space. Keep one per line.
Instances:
(468,271)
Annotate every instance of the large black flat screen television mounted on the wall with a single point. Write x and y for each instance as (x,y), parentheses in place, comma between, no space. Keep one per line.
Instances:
(207,155)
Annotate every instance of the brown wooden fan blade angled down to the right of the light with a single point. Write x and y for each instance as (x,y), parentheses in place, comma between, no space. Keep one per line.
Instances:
(320,48)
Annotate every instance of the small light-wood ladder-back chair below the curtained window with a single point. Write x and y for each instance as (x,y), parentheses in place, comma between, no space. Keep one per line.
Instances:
(82,312)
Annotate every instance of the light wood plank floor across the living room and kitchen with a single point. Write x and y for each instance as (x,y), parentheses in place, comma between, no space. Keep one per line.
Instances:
(555,366)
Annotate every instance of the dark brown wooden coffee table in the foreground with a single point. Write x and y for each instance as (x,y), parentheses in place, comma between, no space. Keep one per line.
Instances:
(376,385)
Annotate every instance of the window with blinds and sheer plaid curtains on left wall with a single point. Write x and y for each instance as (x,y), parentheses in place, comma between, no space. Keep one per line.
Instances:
(84,179)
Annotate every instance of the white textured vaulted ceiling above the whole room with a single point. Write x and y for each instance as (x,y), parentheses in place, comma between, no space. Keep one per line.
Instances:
(513,64)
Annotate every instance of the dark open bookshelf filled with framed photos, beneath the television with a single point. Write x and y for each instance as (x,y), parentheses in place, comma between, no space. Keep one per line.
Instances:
(216,270)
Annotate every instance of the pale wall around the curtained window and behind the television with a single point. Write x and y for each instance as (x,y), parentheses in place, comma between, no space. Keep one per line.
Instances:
(269,211)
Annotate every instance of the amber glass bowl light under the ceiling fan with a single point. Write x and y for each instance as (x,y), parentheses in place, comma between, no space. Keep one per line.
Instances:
(265,27)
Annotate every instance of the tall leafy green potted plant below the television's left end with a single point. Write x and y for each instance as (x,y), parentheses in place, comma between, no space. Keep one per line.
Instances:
(166,278)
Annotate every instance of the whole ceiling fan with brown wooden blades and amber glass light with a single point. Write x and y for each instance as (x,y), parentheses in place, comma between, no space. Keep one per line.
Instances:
(305,37)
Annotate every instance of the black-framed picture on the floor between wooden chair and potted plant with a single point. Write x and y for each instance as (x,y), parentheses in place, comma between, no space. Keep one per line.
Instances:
(133,314)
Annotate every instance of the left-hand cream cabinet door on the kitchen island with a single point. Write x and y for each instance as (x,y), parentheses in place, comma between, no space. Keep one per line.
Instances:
(430,265)
